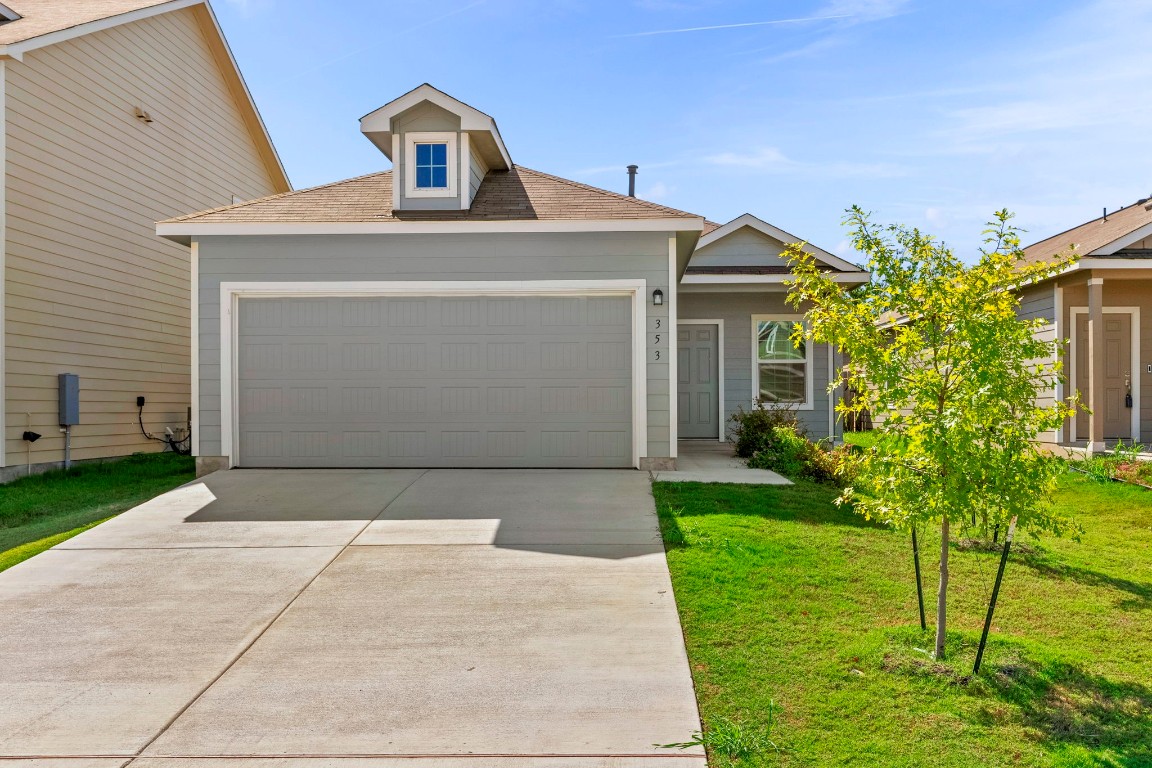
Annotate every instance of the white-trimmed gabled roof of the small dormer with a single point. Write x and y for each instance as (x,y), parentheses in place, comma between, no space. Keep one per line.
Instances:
(380,126)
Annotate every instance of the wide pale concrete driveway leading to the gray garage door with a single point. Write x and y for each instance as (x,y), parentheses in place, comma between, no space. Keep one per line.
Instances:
(354,619)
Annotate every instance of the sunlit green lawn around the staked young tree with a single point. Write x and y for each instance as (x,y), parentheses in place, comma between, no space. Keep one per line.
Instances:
(787,599)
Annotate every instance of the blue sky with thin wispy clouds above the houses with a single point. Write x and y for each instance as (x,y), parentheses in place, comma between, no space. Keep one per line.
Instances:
(927,113)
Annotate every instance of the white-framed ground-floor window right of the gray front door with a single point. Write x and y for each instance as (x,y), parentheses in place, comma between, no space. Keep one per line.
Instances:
(782,368)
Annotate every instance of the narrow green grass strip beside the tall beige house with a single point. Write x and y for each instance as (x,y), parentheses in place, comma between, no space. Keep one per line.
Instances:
(40,512)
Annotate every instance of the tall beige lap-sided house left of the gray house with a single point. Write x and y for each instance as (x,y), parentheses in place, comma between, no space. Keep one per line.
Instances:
(117,113)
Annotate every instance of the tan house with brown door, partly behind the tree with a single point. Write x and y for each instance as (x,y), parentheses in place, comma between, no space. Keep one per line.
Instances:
(1103,307)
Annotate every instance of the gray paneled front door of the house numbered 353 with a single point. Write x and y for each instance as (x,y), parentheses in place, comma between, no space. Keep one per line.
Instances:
(700,382)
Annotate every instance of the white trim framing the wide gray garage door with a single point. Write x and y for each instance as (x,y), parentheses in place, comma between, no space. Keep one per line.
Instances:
(231,293)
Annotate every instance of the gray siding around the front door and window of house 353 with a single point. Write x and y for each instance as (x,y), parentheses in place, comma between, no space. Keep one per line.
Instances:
(737,311)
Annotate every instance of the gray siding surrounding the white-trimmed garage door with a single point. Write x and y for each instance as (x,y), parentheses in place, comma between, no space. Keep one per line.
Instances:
(496,257)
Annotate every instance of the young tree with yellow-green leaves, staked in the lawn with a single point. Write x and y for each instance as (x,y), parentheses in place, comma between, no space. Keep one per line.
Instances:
(938,349)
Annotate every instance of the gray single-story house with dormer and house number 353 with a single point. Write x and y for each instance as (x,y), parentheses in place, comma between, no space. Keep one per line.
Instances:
(465,311)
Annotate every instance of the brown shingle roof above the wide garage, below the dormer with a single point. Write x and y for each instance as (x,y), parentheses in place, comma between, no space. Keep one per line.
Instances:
(517,195)
